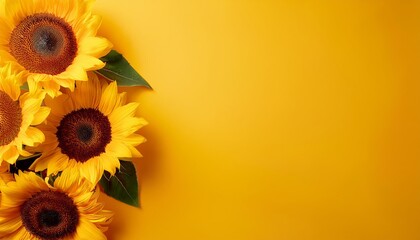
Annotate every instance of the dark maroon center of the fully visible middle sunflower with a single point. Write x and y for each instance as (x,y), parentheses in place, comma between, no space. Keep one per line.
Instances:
(83,134)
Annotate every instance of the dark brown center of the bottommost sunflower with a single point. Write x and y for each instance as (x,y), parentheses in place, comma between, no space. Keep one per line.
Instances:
(50,215)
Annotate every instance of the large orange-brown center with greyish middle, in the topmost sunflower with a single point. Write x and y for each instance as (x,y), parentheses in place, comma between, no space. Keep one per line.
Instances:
(43,43)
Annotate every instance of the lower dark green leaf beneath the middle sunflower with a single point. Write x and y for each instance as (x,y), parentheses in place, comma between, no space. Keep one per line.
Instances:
(123,185)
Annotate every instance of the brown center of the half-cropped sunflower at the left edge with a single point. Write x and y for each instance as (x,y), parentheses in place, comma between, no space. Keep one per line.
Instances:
(10,119)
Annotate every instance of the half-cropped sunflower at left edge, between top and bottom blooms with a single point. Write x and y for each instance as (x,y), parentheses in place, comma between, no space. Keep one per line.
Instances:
(18,115)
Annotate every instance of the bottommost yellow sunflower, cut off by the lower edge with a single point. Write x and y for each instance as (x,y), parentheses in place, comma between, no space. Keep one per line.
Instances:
(33,209)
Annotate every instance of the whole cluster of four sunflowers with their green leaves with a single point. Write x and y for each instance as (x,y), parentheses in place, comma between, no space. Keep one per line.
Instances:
(66,132)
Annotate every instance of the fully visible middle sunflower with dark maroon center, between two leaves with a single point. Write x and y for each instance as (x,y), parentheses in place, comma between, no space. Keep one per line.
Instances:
(88,130)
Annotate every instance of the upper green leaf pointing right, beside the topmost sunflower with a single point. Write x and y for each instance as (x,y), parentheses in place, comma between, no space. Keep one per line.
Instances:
(117,68)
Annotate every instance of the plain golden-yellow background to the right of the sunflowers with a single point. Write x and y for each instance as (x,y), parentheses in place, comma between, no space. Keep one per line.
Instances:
(273,119)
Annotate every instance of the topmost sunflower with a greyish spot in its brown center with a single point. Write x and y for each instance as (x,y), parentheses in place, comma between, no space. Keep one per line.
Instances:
(53,42)
